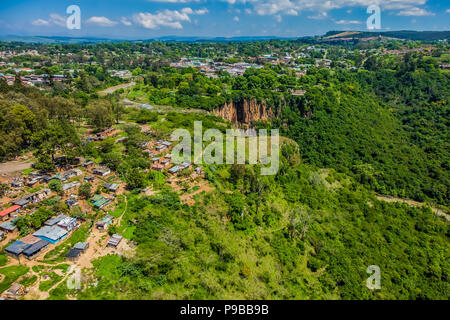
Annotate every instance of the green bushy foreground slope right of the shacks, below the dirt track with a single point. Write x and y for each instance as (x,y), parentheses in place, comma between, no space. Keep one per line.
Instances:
(303,234)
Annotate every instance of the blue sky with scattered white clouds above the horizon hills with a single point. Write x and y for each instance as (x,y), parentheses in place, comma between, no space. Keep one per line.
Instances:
(141,19)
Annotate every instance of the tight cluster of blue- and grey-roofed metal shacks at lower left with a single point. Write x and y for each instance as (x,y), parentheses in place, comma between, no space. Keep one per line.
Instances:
(53,231)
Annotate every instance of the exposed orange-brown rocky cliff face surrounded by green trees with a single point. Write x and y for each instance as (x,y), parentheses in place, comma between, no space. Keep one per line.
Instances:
(244,112)
